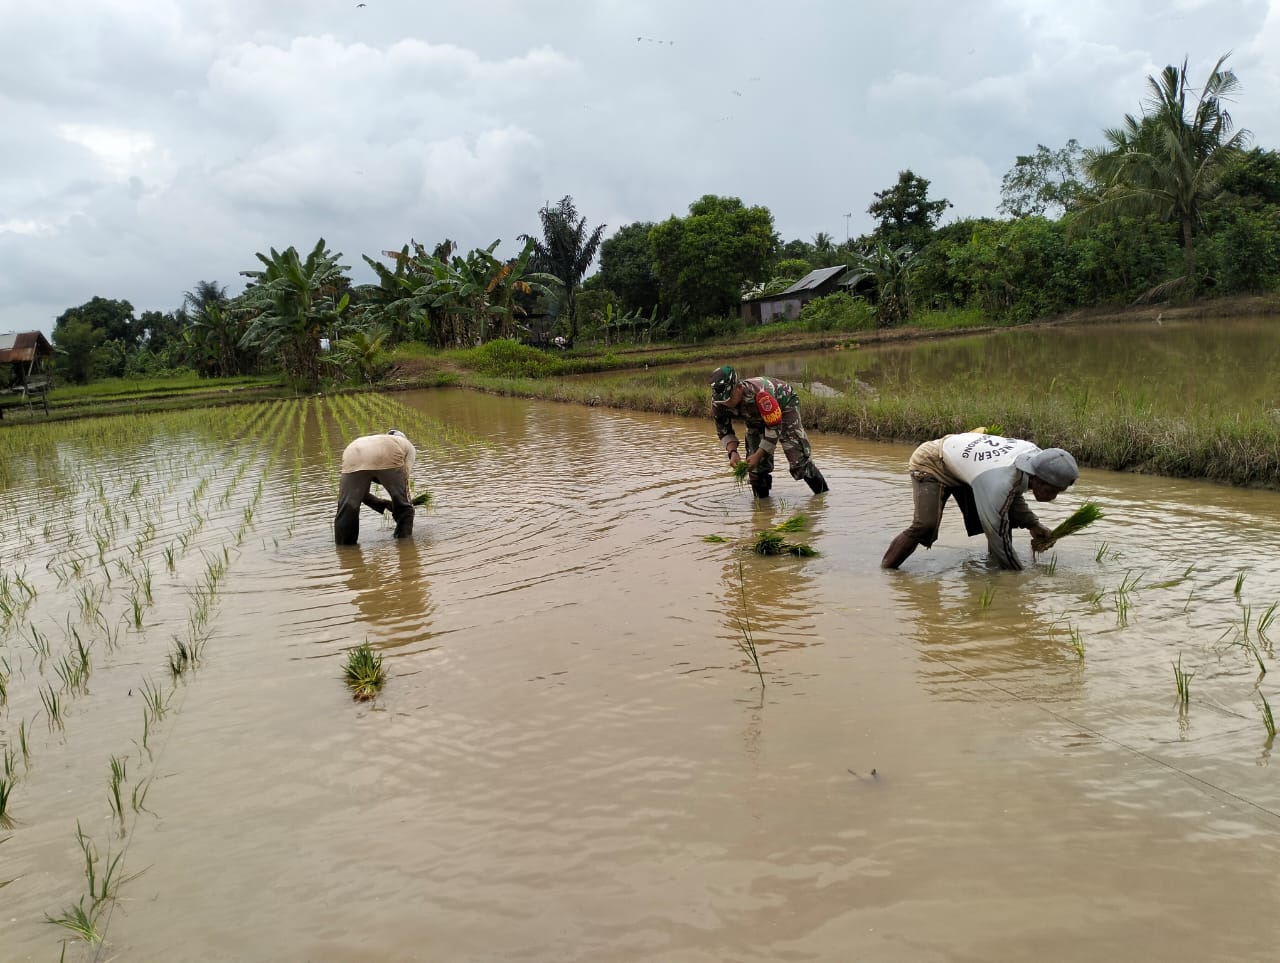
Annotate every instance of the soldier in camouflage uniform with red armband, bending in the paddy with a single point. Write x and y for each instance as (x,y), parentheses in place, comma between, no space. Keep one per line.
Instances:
(772,414)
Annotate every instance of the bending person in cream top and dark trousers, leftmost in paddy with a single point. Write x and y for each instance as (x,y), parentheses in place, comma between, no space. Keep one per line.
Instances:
(386,459)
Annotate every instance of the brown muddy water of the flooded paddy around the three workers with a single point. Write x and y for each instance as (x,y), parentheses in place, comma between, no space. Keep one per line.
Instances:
(574,760)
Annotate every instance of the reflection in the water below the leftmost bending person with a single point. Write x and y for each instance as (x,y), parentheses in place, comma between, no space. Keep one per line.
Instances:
(388,585)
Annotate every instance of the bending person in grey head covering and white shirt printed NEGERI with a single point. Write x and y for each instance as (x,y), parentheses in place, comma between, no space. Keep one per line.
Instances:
(988,476)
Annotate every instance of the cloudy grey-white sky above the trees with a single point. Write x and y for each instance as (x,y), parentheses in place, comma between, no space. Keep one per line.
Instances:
(153,144)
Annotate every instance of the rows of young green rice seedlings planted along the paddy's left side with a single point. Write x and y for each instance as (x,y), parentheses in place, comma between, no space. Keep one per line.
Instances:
(118,536)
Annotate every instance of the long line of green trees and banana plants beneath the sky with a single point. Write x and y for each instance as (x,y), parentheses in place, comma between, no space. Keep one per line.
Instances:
(1174,204)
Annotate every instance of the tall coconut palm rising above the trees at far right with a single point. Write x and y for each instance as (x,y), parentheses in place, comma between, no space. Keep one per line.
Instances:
(1169,163)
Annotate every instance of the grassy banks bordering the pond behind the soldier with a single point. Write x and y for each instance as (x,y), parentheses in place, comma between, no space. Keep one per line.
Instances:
(1121,432)
